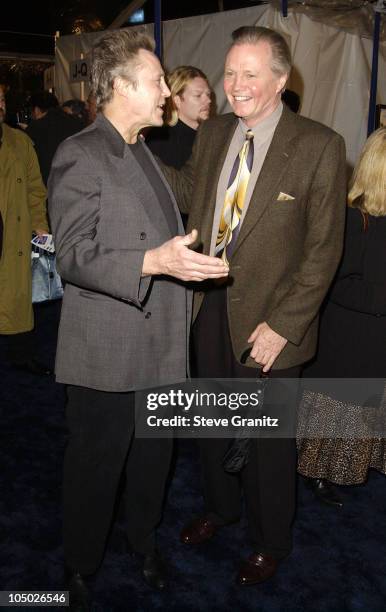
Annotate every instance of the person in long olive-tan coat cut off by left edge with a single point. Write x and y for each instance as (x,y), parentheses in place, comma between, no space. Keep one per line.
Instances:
(23,211)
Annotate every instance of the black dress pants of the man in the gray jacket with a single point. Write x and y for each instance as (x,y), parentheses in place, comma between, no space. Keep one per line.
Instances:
(101,446)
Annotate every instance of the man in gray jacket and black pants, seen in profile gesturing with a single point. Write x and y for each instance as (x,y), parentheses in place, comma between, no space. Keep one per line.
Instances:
(126,314)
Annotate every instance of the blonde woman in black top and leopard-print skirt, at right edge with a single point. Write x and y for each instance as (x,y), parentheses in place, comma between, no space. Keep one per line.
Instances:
(352,340)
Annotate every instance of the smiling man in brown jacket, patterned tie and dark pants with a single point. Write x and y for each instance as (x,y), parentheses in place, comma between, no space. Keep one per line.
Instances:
(286,249)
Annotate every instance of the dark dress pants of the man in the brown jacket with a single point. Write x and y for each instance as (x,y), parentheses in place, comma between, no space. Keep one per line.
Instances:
(268,481)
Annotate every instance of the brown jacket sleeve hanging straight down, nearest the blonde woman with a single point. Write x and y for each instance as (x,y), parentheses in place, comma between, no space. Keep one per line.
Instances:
(322,247)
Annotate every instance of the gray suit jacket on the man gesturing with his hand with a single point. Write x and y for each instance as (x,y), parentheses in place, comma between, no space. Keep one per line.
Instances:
(118,331)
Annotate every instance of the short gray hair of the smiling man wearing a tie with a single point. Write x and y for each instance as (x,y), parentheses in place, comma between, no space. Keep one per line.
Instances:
(281,55)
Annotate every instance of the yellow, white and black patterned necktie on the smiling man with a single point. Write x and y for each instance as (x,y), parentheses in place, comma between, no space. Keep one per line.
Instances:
(234,200)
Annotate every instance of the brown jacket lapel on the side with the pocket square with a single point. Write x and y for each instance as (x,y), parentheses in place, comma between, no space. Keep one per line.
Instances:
(274,166)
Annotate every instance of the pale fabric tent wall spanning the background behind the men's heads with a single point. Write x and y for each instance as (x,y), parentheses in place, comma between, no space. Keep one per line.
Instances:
(332,68)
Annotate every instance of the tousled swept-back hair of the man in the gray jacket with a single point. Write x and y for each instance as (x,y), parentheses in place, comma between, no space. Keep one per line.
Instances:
(116,55)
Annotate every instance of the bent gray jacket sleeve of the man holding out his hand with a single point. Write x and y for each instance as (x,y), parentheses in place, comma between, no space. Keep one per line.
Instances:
(75,207)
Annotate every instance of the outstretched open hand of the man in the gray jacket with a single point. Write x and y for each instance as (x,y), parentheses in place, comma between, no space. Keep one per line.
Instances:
(174,258)
